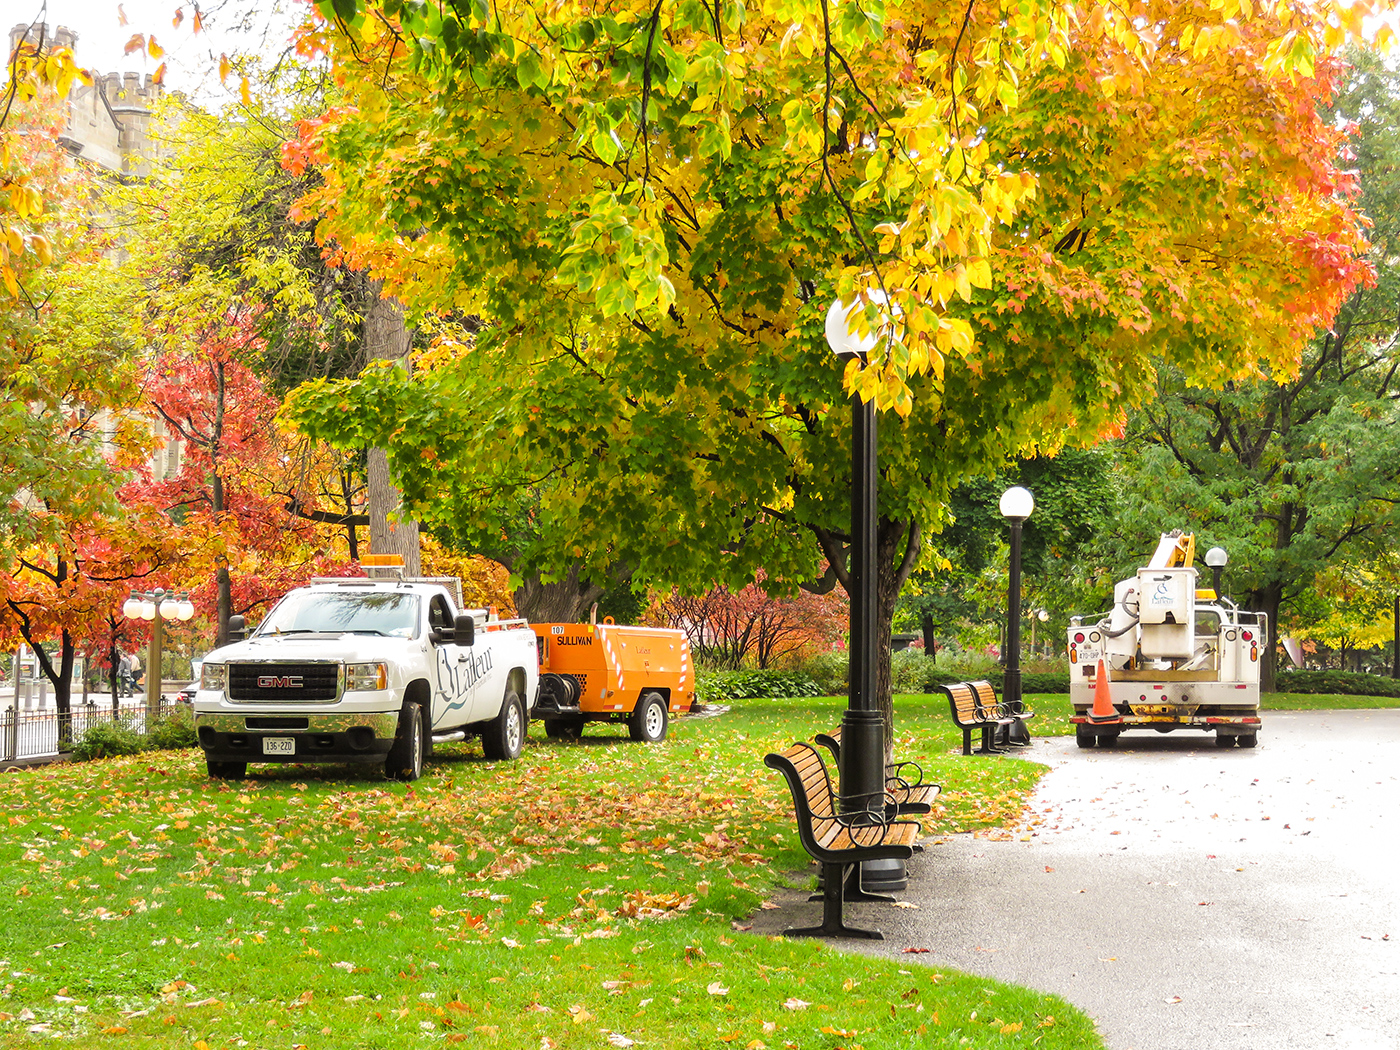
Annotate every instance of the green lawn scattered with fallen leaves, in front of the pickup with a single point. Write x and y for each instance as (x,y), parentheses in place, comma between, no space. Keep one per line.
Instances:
(589,895)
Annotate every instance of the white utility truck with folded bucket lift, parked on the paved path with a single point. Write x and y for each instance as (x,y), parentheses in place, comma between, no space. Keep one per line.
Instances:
(1167,656)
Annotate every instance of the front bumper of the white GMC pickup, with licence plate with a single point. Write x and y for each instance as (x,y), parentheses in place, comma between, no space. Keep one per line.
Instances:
(362,737)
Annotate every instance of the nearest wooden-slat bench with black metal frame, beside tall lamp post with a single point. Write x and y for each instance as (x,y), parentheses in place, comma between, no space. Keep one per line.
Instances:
(839,842)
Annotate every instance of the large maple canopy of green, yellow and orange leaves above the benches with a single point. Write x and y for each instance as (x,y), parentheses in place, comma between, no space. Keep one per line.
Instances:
(654,206)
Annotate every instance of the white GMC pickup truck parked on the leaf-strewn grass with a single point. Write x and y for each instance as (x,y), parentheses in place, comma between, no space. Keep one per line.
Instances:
(367,671)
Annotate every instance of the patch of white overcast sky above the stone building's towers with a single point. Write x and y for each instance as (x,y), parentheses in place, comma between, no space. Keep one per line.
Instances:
(260,27)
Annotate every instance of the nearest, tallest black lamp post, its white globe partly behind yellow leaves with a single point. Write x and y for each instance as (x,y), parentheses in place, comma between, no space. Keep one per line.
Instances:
(863,729)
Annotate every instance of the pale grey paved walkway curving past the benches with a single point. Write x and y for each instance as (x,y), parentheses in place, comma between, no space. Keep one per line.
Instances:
(1188,898)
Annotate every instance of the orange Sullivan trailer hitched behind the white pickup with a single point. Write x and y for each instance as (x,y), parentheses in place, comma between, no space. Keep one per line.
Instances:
(608,673)
